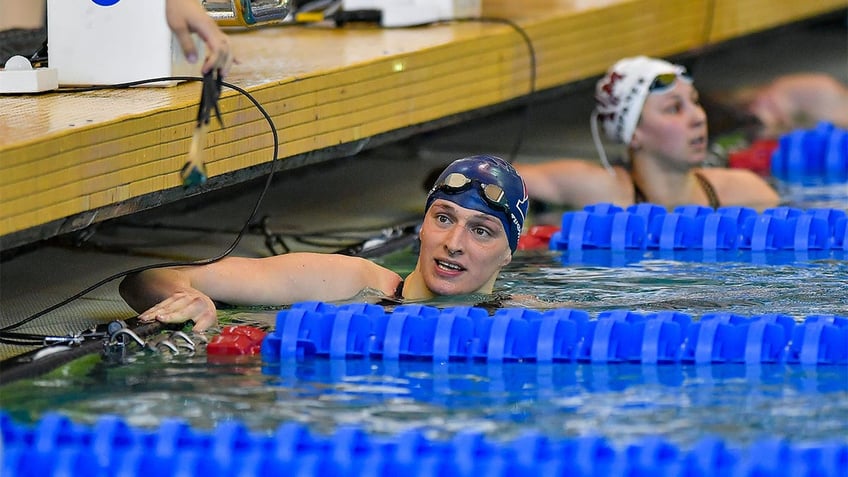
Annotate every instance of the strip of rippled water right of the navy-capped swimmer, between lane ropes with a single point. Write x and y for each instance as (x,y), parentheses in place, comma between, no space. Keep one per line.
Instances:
(794,283)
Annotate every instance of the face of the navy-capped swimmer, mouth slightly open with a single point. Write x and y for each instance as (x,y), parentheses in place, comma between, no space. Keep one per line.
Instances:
(462,250)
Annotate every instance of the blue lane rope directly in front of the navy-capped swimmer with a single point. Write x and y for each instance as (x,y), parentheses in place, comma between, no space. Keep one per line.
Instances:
(418,332)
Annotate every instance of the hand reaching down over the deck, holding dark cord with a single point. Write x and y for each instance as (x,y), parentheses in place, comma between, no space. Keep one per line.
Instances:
(188,16)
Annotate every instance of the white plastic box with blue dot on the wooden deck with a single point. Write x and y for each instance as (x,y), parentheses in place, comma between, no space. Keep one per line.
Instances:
(101,42)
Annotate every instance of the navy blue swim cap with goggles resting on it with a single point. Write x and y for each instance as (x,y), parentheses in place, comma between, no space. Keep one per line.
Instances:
(486,184)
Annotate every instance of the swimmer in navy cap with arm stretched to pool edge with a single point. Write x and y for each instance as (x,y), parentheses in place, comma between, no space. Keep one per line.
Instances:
(473,219)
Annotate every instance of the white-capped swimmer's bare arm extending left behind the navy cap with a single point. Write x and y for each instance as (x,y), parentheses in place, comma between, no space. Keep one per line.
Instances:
(572,182)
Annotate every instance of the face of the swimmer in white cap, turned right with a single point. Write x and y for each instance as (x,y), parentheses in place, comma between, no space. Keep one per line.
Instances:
(673,127)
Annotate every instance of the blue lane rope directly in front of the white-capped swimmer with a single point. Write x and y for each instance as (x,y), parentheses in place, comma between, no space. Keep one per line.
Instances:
(650,227)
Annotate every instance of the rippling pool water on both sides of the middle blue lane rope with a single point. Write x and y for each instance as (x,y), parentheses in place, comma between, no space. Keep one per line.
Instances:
(621,402)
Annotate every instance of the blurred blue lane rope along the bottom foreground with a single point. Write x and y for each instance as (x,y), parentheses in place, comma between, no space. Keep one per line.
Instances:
(57,446)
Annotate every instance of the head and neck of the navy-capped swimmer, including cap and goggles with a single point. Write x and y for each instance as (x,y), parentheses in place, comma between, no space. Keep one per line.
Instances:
(473,218)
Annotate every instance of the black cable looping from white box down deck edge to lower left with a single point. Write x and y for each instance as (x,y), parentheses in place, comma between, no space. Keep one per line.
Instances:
(5,334)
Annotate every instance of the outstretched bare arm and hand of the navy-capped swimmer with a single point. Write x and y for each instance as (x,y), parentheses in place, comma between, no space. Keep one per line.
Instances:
(175,295)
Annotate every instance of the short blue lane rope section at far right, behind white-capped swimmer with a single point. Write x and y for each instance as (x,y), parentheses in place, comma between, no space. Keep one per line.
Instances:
(812,156)
